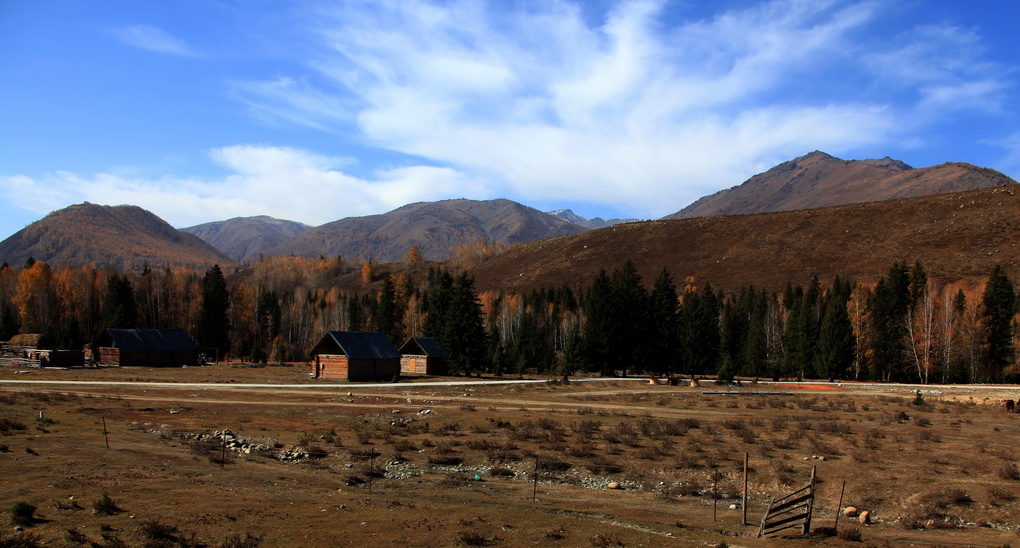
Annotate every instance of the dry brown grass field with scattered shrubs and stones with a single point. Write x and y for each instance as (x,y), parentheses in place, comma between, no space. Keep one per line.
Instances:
(442,466)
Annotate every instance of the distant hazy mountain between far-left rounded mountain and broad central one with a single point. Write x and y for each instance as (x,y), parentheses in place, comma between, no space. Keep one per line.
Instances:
(244,238)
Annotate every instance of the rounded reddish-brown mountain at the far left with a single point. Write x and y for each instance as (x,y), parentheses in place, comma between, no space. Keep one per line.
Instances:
(125,237)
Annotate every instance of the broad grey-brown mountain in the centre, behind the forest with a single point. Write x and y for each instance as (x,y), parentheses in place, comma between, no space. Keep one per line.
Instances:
(437,228)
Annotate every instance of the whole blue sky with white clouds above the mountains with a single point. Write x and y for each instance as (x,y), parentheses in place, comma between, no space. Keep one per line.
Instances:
(202,111)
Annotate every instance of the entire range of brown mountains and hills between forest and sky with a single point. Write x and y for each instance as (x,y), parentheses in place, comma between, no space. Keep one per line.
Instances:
(128,237)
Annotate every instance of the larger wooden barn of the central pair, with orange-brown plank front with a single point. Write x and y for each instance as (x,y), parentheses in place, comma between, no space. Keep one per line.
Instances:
(356,357)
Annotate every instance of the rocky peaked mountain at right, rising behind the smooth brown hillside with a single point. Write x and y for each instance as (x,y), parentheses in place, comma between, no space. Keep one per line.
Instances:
(819,180)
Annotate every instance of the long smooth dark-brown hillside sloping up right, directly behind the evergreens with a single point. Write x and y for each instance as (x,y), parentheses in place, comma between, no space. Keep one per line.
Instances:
(958,236)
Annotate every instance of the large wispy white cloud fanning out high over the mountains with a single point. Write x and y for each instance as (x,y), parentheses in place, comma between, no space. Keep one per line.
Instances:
(637,109)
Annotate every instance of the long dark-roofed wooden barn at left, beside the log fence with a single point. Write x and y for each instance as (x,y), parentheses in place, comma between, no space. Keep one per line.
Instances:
(171,348)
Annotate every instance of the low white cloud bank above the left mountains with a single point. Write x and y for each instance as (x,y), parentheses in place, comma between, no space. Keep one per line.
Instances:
(281,182)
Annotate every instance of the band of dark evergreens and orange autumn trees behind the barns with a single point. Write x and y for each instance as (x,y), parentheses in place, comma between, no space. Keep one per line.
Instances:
(906,327)
